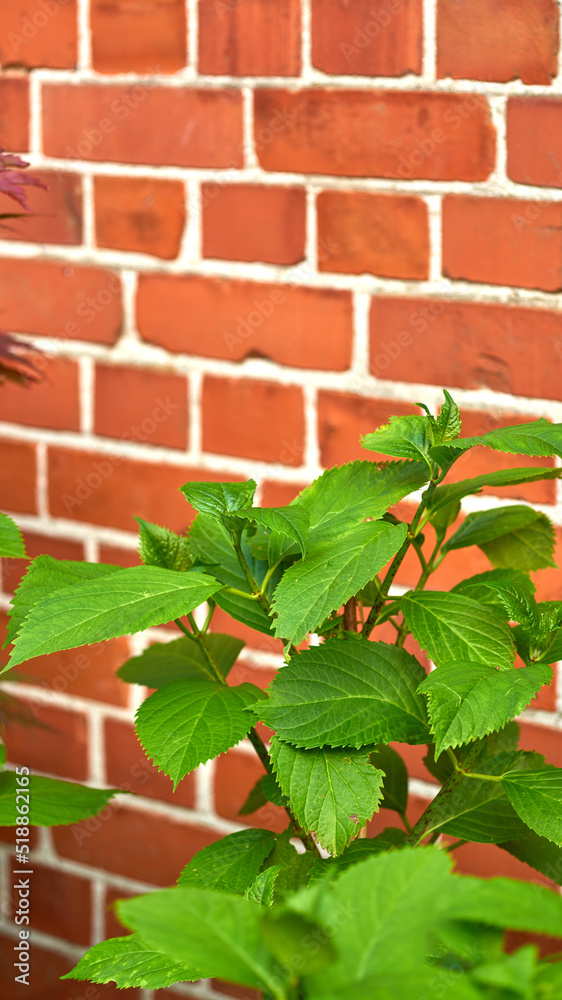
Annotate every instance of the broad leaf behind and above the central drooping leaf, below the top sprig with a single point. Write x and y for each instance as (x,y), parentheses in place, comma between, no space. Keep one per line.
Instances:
(343,497)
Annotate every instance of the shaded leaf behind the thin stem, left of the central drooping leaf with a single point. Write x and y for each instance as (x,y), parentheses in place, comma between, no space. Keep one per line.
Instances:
(210,542)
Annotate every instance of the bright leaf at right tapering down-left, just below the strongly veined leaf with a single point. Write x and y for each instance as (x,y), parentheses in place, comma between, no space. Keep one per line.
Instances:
(469,700)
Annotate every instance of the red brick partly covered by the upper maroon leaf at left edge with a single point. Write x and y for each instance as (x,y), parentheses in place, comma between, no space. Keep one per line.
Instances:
(56,214)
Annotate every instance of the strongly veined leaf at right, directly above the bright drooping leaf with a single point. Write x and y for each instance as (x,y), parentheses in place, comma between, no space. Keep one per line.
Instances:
(453,628)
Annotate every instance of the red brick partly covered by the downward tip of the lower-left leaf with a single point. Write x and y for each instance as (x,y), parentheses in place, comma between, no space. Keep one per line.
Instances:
(128,767)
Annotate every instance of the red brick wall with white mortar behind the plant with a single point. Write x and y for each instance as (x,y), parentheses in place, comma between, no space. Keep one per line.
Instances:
(269,224)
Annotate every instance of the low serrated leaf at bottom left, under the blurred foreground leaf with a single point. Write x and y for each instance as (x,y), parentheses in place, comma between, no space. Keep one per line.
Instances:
(129,962)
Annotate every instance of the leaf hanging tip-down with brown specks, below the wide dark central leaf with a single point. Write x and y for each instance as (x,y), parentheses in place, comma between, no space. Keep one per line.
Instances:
(333,793)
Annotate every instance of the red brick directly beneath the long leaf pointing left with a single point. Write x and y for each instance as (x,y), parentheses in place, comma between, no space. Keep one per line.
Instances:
(89,671)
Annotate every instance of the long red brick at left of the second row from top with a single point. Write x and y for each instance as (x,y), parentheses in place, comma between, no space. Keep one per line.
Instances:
(178,126)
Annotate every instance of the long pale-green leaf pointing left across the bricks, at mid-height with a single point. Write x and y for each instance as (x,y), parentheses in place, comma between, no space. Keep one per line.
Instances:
(127,601)
